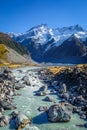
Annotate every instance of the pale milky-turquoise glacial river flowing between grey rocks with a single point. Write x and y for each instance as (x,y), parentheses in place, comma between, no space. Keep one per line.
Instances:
(28,104)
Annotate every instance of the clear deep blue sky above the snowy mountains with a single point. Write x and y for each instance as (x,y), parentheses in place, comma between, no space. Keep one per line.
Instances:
(20,15)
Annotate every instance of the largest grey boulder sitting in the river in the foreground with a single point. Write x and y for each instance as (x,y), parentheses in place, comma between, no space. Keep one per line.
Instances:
(57,114)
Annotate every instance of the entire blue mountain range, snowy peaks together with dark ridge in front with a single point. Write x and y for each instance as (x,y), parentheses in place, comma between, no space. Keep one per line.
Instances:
(55,45)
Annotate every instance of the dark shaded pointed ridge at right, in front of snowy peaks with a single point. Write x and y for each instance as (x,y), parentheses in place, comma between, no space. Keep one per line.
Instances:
(72,50)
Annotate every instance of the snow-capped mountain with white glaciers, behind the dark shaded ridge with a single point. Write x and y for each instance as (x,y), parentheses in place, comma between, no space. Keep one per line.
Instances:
(41,39)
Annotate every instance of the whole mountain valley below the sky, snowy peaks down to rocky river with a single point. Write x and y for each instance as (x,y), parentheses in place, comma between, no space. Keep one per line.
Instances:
(46,85)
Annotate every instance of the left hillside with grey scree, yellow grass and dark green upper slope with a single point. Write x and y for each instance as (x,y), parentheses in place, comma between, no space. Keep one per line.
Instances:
(11,51)
